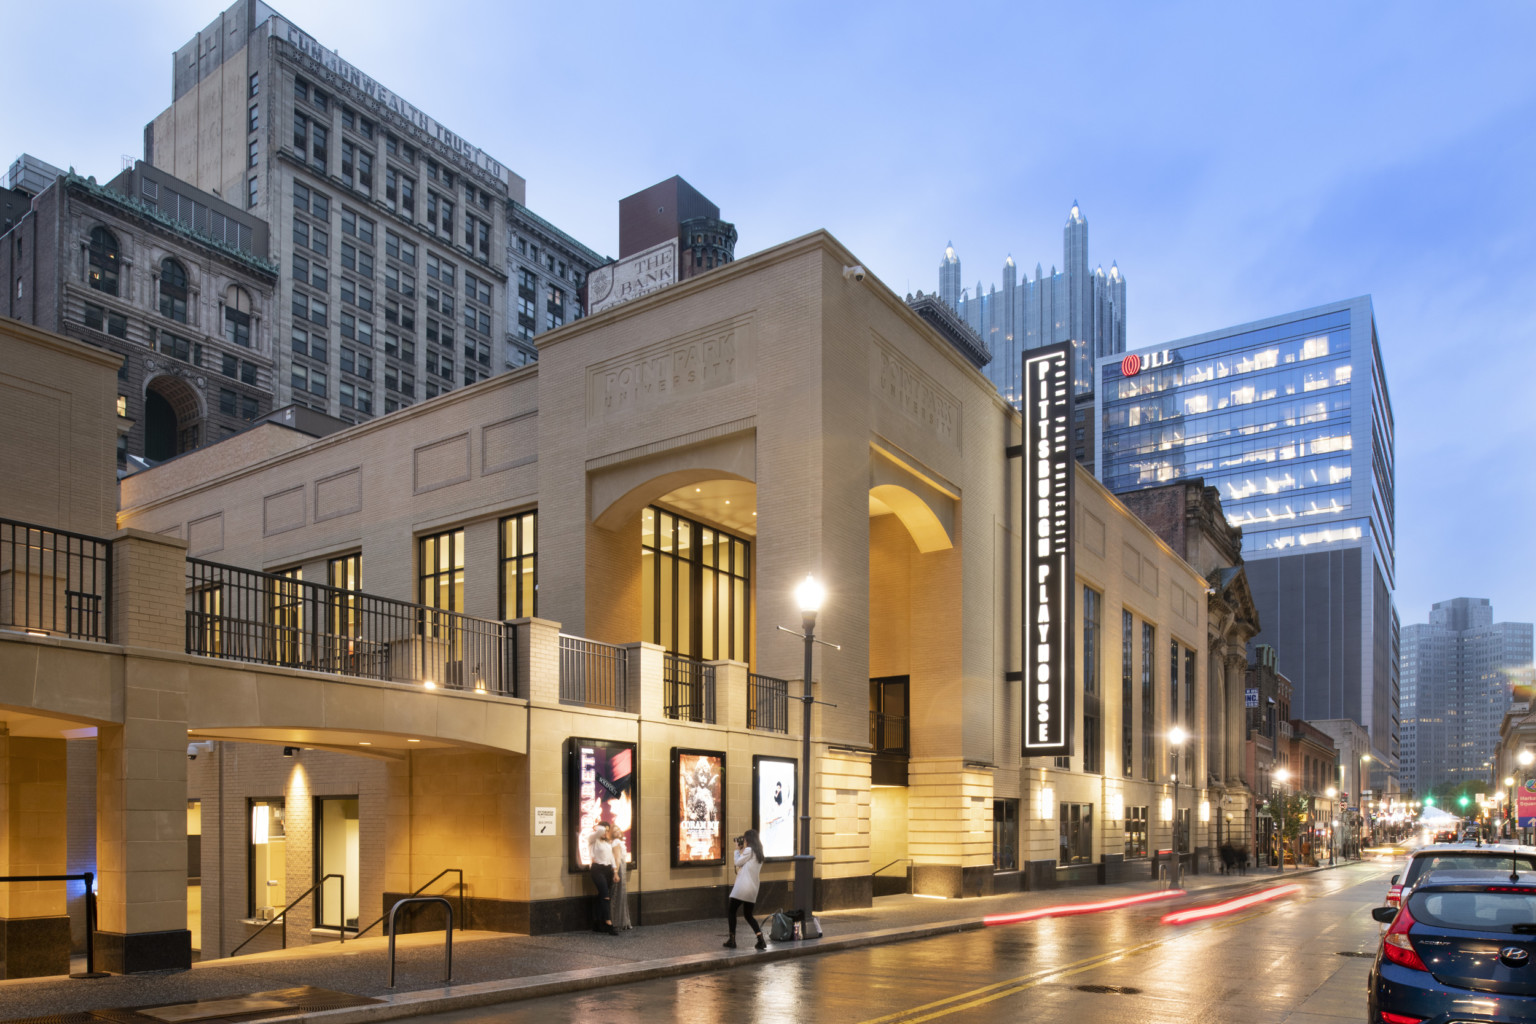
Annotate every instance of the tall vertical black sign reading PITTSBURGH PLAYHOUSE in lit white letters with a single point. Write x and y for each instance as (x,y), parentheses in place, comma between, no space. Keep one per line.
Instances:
(1048,552)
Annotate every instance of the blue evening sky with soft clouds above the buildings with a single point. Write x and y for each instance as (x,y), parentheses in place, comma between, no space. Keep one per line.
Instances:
(1237,160)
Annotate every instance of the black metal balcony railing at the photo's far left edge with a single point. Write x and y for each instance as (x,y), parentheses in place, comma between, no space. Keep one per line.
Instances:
(55,581)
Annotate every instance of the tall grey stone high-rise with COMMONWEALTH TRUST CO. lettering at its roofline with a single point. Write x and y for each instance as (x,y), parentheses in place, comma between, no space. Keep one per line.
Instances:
(391,230)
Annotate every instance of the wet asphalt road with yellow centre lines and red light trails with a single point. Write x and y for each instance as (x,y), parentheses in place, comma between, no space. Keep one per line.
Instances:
(1289,962)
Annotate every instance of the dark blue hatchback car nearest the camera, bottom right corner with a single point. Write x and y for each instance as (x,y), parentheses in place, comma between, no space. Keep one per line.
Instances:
(1460,950)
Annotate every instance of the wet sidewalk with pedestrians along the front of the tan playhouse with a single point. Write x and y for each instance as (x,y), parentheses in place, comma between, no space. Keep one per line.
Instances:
(348,983)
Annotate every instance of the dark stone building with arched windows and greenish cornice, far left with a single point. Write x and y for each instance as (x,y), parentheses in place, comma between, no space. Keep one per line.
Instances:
(173,280)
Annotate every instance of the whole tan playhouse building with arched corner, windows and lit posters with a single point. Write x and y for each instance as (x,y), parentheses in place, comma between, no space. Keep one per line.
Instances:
(455,638)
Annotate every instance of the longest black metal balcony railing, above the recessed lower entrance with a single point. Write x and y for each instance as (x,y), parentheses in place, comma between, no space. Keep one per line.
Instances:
(250,616)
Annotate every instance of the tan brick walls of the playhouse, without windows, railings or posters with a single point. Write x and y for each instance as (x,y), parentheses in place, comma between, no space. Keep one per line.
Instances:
(872,455)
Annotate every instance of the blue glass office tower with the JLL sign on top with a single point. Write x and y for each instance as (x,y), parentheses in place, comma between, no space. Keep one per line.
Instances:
(1291,420)
